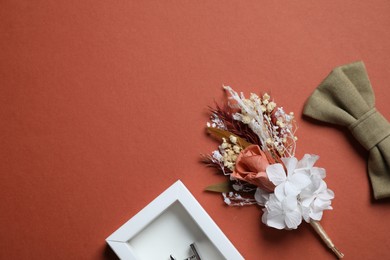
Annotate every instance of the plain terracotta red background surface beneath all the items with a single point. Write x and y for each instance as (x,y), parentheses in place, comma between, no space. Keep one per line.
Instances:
(103,106)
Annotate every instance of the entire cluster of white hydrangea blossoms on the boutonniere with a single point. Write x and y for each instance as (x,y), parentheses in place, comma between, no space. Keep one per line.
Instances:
(299,192)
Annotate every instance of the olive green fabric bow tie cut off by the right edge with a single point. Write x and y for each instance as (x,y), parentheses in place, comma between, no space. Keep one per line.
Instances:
(346,98)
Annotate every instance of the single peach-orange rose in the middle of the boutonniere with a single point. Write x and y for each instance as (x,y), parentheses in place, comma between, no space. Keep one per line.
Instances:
(250,166)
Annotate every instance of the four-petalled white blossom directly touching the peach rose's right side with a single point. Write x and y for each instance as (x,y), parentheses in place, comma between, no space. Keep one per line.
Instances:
(290,184)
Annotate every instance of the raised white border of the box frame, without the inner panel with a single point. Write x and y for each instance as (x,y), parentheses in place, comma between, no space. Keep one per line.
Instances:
(118,240)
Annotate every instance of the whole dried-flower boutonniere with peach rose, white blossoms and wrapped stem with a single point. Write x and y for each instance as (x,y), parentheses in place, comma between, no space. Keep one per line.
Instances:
(256,154)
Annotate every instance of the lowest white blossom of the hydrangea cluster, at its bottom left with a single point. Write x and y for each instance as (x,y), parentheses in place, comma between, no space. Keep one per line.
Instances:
(282,214)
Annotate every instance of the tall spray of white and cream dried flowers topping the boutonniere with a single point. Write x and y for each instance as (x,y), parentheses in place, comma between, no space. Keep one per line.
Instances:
(258,113)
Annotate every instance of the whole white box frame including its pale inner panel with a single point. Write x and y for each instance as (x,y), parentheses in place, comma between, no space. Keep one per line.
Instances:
(167,226)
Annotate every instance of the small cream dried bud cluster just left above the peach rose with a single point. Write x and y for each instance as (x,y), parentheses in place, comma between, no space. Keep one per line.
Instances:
(229,150)
